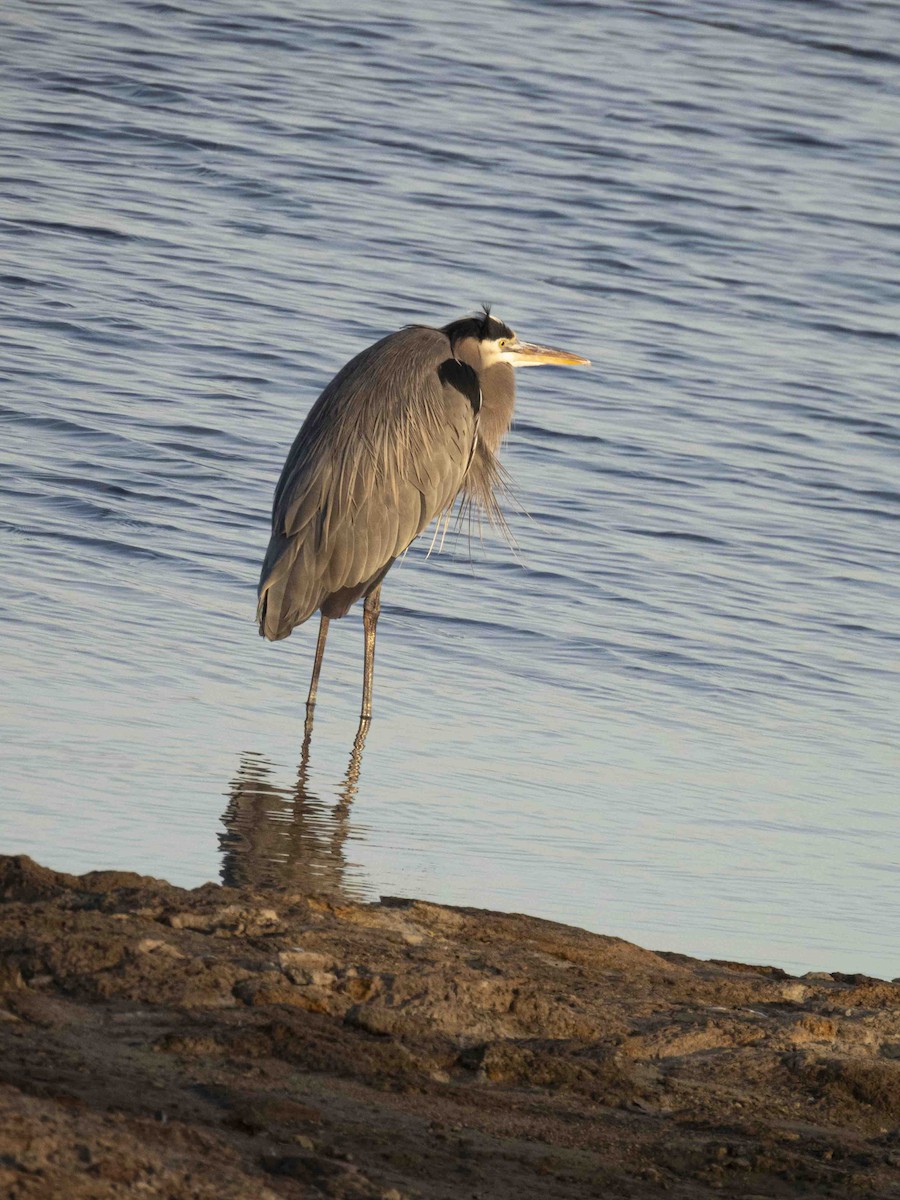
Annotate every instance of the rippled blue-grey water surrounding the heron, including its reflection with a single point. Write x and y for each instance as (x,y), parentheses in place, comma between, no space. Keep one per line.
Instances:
(675,717)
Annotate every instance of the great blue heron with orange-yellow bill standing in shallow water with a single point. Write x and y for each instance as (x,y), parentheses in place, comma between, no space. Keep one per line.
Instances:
(405,429)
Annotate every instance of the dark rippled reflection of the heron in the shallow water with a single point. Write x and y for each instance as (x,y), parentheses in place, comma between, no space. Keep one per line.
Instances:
(289,837)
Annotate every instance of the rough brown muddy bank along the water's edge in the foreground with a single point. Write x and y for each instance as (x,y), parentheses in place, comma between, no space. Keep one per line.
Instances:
(225,1043)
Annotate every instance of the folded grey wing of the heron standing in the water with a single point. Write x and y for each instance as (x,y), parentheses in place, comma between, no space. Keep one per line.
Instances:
(383,452)
